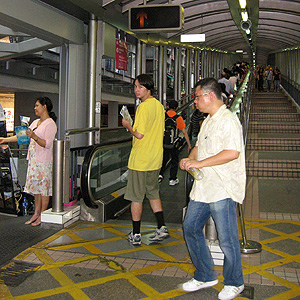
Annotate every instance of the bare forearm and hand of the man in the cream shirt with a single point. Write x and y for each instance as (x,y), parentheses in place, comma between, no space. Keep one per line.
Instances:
(221,158)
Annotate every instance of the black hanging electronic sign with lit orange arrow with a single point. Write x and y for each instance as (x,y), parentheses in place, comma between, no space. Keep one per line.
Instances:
(150,18)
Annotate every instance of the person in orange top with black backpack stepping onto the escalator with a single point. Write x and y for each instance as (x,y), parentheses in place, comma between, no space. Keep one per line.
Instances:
(172,150)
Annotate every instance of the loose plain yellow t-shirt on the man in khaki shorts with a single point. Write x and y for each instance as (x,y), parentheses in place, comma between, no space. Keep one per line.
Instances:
(147,153)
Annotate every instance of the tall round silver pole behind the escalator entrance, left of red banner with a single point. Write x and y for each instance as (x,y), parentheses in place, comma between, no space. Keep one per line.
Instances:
(91,100)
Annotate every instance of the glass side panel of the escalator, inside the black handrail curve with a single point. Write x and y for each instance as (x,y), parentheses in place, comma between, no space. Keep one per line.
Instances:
(108,170)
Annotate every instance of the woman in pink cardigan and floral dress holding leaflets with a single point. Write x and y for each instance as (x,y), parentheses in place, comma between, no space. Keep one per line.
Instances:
(42,132)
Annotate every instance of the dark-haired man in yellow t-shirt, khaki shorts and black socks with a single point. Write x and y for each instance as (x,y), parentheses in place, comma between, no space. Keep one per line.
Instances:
(145,159)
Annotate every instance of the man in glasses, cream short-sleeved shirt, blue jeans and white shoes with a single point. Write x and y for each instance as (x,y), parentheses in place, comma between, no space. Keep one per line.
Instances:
(219,153)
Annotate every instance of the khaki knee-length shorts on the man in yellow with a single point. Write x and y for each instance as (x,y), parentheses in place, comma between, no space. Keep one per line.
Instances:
(141,183)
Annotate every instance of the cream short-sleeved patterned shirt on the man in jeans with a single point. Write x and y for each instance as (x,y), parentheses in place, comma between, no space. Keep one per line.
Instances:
(222,131)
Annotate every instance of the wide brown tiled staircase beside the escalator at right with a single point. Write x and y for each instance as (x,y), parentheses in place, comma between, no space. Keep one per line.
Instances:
(273,144)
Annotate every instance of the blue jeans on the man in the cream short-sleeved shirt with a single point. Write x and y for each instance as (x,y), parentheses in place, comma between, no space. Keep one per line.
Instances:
(224,214)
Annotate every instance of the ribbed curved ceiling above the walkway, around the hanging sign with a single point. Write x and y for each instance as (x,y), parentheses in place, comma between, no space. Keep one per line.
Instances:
(275,23)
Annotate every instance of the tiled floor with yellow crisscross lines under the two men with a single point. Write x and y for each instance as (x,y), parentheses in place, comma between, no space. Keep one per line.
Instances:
(94,261)
